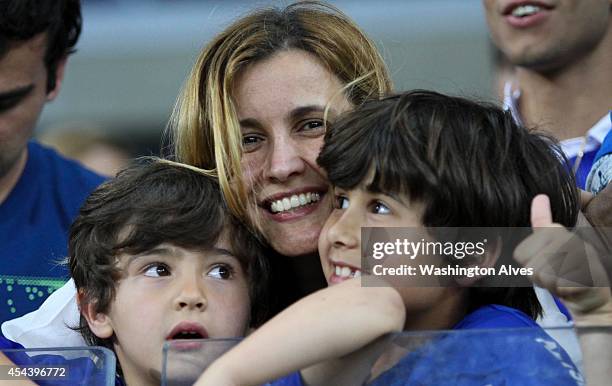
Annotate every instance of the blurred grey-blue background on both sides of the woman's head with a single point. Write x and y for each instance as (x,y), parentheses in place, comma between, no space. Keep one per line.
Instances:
(133,56)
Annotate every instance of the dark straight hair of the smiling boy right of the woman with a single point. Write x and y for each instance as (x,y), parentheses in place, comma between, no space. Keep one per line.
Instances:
(468,163)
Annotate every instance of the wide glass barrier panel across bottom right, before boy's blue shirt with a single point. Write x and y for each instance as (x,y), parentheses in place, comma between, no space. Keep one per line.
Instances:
(524,356)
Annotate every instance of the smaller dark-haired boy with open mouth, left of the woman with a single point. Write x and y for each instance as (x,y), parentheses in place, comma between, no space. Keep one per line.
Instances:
(156,257)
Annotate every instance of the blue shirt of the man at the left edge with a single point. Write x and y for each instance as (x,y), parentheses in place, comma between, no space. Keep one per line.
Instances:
(34,223)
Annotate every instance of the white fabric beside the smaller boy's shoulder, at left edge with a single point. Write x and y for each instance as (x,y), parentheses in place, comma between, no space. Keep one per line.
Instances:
(49,326)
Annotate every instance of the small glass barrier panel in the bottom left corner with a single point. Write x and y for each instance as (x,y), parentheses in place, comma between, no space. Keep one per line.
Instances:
(91,366)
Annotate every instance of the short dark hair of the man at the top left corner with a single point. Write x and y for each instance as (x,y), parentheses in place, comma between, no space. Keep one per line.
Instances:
(60,19)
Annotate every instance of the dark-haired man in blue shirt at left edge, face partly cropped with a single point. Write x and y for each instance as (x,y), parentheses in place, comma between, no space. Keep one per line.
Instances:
(40,191)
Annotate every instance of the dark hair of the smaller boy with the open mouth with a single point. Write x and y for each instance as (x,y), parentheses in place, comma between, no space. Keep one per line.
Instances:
(149,204)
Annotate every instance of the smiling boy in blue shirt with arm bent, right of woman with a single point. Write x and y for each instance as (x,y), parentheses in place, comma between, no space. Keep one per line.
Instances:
(418,159)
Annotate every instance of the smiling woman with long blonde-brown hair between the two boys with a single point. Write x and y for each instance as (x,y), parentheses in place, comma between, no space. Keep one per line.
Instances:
(253,110)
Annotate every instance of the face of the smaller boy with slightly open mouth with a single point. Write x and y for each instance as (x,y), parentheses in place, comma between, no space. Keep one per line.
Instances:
(171,293)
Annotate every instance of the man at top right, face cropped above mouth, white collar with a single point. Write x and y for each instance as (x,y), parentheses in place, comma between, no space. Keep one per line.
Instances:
(563,70)
